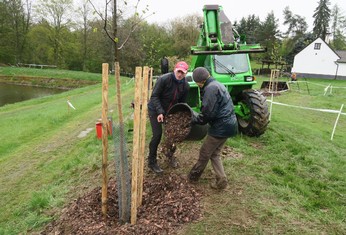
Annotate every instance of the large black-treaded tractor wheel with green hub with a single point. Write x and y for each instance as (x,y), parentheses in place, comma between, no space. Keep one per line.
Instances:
(254,117)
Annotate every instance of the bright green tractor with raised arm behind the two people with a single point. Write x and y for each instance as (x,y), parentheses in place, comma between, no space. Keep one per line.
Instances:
(224,53)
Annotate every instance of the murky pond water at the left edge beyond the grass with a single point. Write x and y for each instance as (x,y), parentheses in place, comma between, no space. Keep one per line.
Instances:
(10,93)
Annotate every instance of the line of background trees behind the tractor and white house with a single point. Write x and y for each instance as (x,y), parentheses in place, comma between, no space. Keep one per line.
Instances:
(54,32)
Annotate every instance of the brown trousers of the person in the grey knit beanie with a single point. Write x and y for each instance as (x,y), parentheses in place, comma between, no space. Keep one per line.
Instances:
(210,149)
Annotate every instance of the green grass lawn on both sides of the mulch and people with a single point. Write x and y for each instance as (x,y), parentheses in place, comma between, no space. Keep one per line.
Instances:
(291,180)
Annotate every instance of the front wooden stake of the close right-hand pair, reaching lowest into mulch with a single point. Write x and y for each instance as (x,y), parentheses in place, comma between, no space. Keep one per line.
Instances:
(136,129)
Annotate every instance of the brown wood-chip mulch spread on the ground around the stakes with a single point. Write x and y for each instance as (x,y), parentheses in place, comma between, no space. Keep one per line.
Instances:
(168,203)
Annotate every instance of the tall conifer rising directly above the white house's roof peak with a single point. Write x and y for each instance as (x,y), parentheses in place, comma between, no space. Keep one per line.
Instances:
(321,19)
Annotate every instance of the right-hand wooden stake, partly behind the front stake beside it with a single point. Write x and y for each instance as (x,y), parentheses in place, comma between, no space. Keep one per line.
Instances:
(144,109)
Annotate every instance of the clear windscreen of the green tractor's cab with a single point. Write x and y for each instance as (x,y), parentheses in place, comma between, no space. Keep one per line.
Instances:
(228,64)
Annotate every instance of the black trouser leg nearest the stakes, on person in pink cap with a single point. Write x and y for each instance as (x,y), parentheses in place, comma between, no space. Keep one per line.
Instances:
(156,128)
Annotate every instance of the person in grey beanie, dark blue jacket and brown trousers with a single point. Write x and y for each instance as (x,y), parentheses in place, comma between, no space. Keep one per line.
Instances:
(218,110)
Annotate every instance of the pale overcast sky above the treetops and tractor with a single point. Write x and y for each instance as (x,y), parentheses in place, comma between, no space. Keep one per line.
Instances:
(169,9)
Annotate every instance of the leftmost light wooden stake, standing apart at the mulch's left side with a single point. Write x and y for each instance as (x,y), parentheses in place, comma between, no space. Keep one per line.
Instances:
(104,137)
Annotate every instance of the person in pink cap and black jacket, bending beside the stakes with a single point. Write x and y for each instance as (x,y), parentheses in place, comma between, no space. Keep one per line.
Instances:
(170,89)
